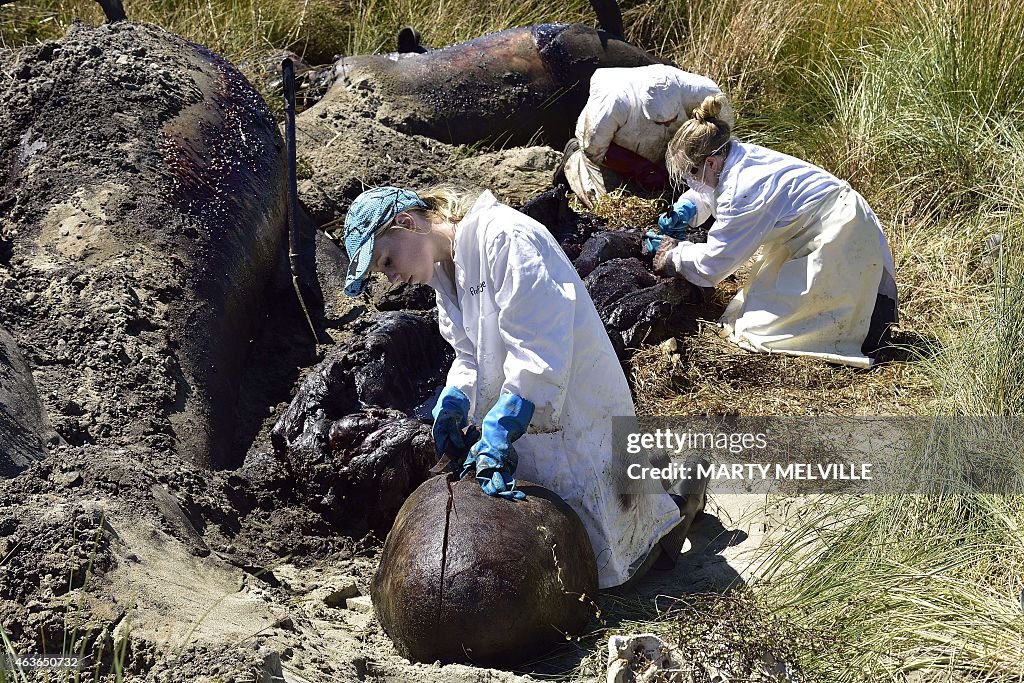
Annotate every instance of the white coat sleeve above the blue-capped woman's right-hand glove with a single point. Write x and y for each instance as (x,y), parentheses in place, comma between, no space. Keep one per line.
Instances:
(536,320)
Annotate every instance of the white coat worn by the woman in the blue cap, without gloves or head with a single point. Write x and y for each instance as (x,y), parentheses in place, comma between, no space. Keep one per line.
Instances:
(521,321)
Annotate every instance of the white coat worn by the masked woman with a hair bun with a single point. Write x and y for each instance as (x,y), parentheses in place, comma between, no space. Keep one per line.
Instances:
(824,258)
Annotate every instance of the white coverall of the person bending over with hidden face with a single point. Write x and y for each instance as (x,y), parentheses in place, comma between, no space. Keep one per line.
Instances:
(624,108)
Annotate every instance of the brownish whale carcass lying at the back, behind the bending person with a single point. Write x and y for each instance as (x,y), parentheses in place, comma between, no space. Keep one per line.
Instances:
(514,88)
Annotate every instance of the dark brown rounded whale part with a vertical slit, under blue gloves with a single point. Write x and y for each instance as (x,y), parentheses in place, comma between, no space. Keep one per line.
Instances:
(470,578)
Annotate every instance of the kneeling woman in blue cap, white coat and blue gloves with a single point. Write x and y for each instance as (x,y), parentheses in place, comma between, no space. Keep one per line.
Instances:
(533,360)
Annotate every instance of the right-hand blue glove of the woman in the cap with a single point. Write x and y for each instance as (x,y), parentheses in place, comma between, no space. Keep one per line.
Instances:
(493,457)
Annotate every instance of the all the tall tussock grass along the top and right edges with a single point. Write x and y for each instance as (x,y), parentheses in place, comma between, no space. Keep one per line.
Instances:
(919,105)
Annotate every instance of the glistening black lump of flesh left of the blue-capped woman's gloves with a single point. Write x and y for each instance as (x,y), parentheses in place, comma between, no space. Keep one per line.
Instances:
(348,441)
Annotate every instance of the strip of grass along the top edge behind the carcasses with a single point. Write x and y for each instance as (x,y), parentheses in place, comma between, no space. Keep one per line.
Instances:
(319,30)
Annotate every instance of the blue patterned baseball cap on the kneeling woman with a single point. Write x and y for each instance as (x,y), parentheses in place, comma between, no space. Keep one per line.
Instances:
(369,212)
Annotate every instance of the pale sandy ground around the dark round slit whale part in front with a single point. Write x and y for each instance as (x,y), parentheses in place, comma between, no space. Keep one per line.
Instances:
(196,606)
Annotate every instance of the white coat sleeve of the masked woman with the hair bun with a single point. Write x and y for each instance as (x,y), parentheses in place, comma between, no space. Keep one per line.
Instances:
(731,243)
